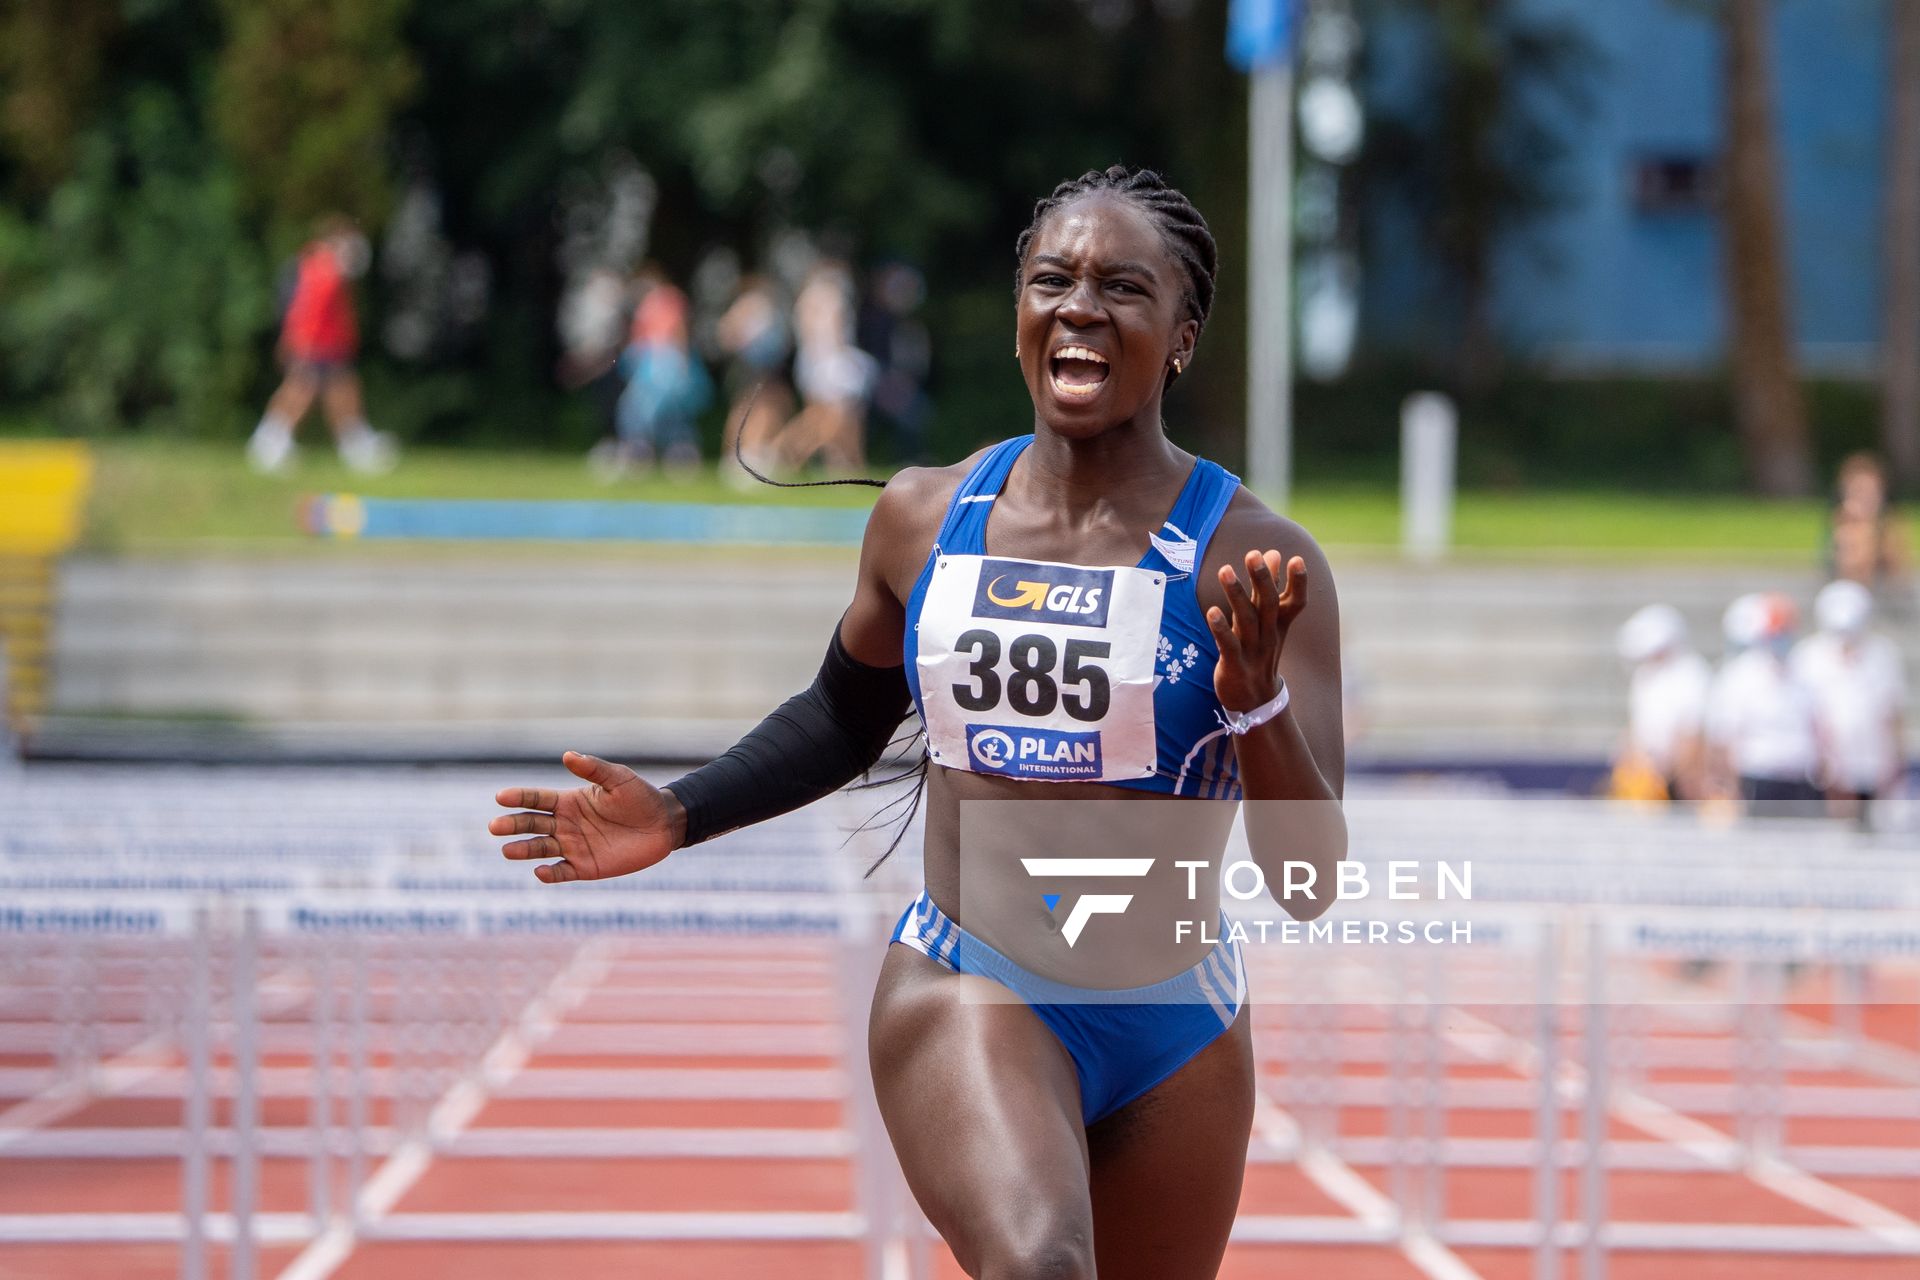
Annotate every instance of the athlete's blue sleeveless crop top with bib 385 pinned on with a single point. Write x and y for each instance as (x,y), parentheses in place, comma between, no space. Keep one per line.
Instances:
(1017,675)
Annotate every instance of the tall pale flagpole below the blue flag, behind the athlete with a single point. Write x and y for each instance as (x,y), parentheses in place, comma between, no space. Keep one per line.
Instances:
(1270,235)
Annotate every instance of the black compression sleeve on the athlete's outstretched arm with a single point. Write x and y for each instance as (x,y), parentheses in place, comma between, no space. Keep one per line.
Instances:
(819,742)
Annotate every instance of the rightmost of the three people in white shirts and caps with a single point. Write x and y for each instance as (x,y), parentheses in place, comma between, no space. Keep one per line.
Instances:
(1860,699)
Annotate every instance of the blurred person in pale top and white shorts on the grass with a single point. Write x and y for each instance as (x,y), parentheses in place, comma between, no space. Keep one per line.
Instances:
(832,375)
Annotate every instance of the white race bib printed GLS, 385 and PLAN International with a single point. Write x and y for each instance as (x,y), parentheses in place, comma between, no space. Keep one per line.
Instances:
(1040,671)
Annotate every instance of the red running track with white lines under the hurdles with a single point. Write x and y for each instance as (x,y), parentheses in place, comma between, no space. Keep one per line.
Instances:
(621,1106)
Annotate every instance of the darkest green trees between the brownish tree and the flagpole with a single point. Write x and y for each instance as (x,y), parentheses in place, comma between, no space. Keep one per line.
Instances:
(917,130)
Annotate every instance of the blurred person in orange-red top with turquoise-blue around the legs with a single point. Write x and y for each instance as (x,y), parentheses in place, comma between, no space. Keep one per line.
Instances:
(665,392)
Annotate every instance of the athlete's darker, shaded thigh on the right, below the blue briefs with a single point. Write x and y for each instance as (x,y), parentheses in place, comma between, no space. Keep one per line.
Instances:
(1168,1168)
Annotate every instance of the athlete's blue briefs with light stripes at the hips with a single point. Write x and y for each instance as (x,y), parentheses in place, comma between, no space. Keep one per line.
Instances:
(1122,1043)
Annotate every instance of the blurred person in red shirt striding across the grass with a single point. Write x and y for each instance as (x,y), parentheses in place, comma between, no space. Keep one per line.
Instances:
(320,341)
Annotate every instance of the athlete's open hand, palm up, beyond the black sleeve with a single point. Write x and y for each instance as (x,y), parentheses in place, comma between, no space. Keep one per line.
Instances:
(613,826)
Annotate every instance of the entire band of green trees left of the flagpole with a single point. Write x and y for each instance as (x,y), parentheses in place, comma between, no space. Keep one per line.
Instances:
(164,158)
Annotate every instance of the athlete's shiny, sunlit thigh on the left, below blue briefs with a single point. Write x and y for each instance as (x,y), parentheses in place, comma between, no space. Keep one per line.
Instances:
(984,1112)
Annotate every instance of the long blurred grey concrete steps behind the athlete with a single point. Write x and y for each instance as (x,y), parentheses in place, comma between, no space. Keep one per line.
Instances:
(646,652)
